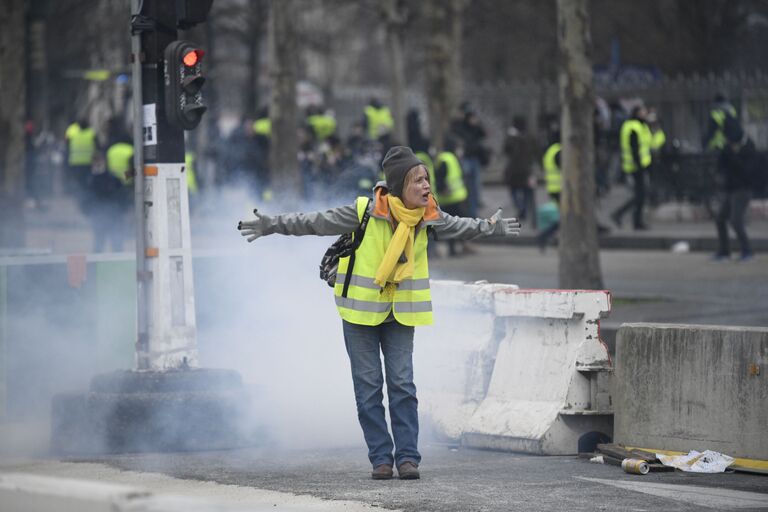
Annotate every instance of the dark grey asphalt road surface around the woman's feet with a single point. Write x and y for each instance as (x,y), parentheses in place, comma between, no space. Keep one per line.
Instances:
(460,480)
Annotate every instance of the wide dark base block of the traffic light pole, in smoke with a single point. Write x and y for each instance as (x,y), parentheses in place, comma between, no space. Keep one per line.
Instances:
(131,411)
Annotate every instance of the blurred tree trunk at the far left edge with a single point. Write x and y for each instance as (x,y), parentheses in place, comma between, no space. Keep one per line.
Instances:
(12,115)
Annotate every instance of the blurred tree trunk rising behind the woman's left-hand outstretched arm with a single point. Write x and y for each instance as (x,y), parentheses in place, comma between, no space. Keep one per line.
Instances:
(283,110)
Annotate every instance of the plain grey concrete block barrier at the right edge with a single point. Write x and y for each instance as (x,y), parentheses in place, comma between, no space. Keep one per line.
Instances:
(686,387)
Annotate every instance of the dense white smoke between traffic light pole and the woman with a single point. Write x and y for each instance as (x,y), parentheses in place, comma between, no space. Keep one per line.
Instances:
(273,320)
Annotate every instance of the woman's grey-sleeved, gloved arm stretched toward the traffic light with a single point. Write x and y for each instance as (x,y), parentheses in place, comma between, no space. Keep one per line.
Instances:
(335,221)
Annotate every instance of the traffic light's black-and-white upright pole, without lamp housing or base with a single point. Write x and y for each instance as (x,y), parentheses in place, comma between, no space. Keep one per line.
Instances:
(165,295)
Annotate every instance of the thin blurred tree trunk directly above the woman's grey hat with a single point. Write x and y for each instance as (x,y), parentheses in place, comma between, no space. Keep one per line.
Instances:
(395,16)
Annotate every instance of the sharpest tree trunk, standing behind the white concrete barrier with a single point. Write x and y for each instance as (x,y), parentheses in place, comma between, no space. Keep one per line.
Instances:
(579,252)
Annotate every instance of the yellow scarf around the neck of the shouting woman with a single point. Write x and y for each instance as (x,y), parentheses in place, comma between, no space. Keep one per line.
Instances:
(402,242)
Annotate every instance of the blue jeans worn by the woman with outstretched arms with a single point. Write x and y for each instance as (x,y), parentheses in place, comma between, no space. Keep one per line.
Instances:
(364,344)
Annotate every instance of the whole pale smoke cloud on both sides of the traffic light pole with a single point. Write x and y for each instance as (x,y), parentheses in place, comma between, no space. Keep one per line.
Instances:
(261,310)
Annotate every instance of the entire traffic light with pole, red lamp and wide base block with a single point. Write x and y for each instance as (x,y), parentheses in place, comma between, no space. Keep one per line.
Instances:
(166,403)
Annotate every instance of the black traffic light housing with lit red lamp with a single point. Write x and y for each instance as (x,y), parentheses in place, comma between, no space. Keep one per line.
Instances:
(184,80)
